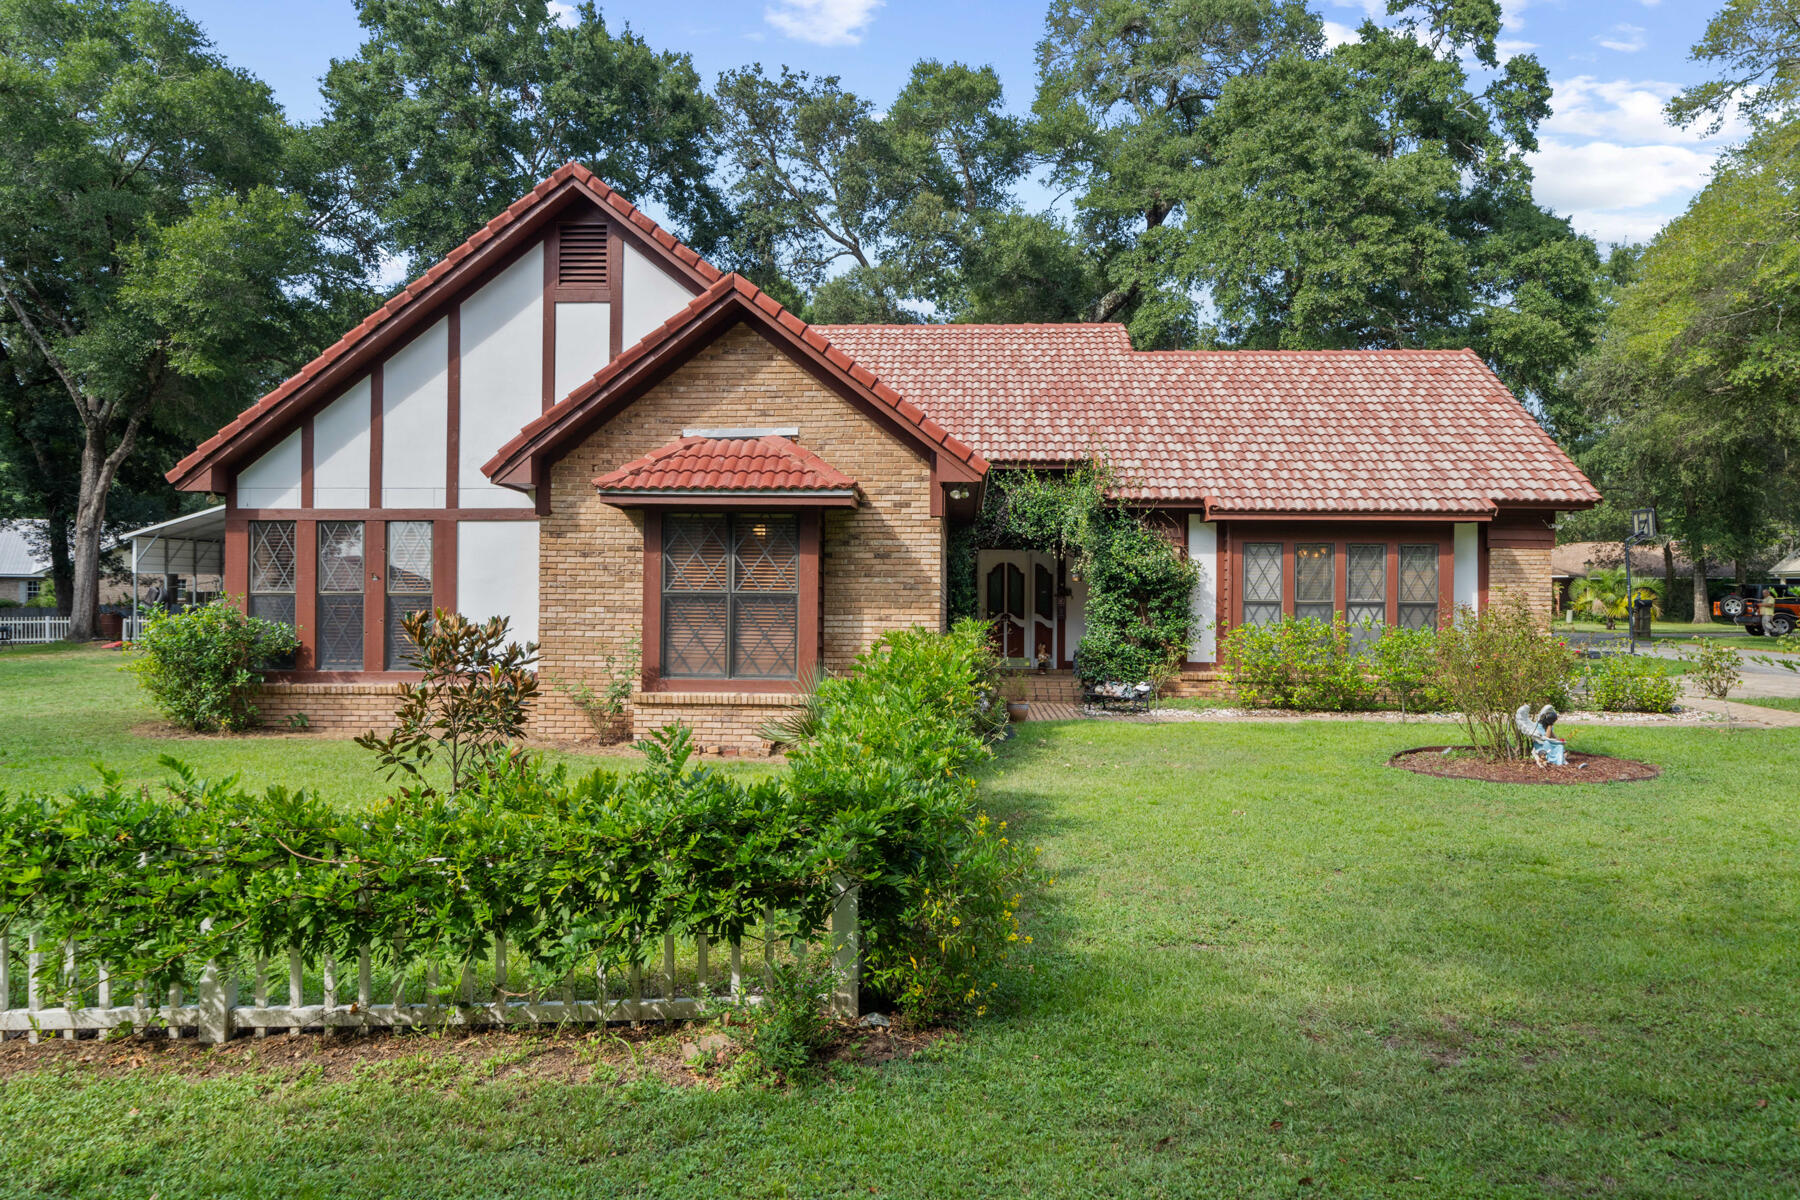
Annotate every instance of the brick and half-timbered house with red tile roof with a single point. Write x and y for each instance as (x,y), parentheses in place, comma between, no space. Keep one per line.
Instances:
(579,424)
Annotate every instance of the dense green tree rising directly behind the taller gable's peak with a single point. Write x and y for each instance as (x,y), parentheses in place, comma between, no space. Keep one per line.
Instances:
(449,112)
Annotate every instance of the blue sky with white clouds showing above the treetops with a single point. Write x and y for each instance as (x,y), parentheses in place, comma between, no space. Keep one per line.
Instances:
(1608,161)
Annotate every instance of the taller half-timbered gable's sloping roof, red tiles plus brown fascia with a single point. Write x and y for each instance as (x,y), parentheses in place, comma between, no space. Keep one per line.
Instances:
(417,303)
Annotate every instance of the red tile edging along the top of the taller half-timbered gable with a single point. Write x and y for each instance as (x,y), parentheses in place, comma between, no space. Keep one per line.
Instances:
(406,301)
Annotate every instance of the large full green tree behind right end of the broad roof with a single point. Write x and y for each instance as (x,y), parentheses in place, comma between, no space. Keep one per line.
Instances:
(1372,199)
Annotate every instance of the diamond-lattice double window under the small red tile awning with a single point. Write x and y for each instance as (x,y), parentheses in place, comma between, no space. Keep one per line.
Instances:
(730,596)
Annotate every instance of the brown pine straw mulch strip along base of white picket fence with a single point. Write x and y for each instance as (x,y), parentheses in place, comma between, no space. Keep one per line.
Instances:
(683,1055)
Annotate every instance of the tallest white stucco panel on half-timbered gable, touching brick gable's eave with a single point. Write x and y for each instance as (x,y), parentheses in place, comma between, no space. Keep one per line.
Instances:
(503,375)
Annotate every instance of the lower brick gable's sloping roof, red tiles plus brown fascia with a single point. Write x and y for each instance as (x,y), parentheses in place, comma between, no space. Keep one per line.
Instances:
(730,301)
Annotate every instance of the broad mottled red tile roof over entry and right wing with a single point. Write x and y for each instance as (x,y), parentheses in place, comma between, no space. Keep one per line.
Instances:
(1245,431)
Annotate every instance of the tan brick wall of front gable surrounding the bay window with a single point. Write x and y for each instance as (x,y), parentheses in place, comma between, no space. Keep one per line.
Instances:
(881,564)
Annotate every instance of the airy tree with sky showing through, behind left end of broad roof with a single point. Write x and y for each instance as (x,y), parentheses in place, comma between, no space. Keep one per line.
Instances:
(885,215)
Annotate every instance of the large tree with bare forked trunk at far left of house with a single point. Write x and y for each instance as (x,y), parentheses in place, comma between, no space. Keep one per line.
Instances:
(150,264)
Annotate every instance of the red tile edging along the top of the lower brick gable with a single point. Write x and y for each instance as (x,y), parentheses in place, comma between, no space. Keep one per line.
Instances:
(733,296)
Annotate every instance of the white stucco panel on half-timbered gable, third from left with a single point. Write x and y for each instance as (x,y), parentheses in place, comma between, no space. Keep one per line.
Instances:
(417,422)
